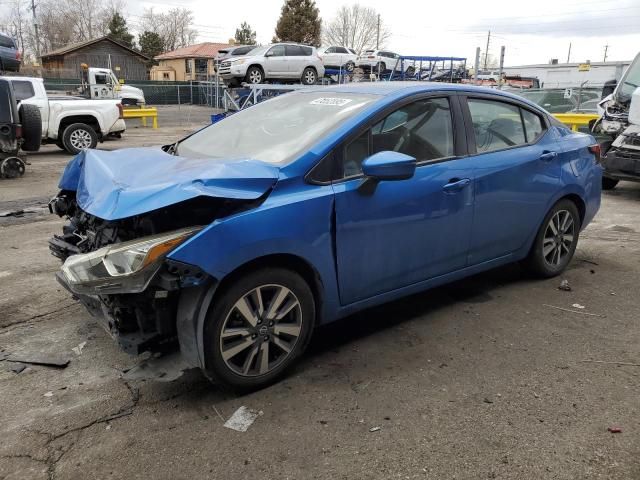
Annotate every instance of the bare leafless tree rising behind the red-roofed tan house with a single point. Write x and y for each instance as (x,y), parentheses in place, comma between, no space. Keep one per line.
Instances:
(173,26)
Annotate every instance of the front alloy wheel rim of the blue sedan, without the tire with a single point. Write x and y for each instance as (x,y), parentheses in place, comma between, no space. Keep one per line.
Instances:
(261,330)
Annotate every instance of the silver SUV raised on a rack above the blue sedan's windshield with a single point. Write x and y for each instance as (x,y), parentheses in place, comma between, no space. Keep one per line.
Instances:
(281,61)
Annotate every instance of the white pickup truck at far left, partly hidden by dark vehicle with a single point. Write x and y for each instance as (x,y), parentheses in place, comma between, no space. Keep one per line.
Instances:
(72,123)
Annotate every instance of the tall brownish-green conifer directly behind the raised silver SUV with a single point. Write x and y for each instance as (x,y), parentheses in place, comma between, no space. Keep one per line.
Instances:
(299,22)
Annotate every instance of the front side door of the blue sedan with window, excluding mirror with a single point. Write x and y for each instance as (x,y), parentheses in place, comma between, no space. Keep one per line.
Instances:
(392,234)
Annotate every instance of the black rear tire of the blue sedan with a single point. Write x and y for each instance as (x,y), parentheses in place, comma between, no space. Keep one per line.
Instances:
(549,265)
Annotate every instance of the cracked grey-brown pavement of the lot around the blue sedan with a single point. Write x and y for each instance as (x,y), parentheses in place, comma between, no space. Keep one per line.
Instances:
(479,379)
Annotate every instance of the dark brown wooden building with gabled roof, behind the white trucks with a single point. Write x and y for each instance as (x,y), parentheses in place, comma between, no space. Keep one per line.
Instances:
(102,52)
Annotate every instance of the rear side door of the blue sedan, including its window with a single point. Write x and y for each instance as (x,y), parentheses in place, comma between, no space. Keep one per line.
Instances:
(517,170)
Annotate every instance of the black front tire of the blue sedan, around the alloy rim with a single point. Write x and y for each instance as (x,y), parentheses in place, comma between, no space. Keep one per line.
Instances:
(223,315)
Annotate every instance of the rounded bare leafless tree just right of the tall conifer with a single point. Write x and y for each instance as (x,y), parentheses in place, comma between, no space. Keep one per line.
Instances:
(356,27)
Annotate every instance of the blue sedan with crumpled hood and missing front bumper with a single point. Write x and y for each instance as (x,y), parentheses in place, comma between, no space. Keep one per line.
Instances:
(233,244)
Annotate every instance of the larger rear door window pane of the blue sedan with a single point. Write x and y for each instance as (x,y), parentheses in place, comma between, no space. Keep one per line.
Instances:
(497,125)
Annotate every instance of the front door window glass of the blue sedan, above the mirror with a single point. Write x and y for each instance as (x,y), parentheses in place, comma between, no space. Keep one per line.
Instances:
(422,129)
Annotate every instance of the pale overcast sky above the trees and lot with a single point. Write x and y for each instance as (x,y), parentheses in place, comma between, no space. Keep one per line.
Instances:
(532,32)
